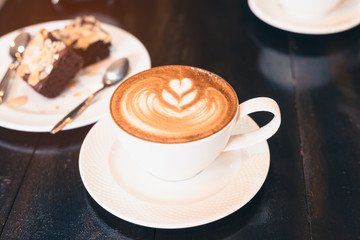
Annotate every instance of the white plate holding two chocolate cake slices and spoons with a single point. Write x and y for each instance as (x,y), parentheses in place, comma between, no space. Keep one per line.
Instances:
(40,114)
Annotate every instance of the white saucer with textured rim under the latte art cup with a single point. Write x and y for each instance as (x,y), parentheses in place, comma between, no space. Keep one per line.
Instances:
(126,191)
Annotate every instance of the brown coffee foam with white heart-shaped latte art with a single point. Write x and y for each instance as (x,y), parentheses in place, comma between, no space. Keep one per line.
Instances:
(173,104)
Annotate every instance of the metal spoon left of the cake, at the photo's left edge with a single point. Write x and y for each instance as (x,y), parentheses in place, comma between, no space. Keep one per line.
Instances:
(17,47)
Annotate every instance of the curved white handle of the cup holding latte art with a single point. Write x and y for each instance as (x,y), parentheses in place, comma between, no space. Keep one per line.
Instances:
(259,104)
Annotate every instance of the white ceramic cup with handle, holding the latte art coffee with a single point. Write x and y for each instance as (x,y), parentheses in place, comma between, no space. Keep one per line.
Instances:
(179,161)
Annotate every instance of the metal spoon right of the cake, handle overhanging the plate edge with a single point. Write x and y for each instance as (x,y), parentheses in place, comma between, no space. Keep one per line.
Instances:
(114,74)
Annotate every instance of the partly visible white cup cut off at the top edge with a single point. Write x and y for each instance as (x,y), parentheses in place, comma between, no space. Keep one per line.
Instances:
(308,9)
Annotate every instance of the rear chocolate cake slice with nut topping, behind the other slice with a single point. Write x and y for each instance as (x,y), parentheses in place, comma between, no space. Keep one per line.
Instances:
(85,36)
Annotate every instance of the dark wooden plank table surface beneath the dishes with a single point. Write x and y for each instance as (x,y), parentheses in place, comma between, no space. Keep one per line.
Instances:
(312,190)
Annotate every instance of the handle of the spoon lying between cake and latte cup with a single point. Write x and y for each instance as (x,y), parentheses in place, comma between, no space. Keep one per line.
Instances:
(74,113)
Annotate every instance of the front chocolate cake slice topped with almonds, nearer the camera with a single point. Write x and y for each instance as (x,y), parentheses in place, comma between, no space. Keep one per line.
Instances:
(48,65)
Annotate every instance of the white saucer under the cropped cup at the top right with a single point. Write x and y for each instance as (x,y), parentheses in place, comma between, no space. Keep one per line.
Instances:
(344,17)
